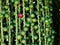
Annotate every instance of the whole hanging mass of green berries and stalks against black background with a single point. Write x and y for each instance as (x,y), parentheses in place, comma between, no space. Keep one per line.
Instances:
(26,22)
